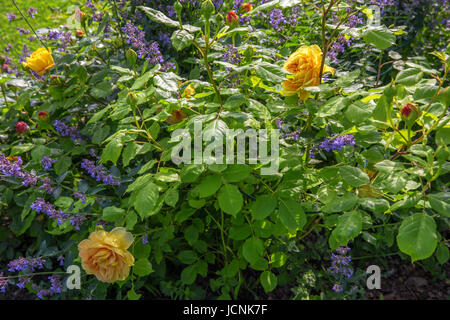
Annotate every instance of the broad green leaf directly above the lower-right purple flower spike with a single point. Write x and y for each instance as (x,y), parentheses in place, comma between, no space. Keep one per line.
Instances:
(348,227)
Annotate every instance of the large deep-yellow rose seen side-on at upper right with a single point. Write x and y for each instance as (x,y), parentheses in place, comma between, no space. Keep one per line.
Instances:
(304,65)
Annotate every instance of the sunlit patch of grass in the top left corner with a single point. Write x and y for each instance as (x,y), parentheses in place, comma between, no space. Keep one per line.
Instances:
(51,14)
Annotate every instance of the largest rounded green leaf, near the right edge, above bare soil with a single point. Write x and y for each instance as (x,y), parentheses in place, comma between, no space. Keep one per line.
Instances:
(417,236)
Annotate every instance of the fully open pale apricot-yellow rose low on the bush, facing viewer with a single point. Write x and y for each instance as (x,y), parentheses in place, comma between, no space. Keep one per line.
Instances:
(105,254)
